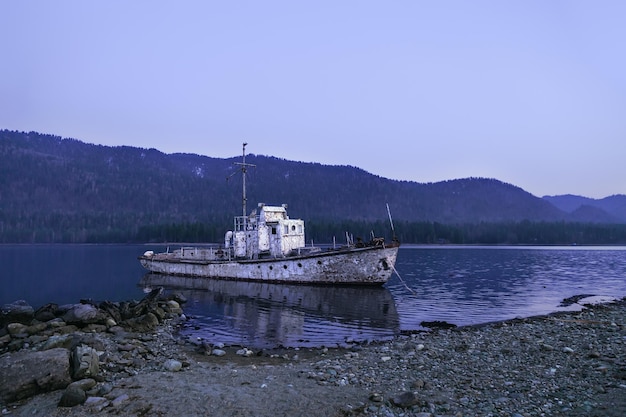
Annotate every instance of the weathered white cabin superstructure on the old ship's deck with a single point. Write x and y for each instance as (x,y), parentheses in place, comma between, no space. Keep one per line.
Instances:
(267,232)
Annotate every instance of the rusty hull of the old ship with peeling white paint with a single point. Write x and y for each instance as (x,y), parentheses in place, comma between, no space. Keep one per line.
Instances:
(363,266)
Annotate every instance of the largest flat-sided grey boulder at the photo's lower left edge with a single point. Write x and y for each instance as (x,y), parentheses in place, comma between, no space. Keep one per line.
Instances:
(26,373)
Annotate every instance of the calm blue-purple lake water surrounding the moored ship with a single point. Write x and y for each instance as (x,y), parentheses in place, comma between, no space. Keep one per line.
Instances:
(460,285)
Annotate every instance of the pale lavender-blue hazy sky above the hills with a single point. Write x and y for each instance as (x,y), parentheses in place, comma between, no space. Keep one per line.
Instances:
(529,92)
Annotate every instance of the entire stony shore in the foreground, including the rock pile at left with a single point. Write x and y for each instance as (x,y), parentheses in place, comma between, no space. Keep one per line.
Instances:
(126,359)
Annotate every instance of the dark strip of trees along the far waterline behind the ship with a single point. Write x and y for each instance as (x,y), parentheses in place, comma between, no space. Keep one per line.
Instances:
(131,228)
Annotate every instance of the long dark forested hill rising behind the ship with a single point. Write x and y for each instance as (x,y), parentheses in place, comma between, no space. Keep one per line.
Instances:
(54,189)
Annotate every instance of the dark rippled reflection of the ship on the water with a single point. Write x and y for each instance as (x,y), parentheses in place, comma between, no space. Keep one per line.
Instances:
(268,315)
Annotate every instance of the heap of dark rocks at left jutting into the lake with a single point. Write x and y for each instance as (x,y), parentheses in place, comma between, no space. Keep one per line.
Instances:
(73,347)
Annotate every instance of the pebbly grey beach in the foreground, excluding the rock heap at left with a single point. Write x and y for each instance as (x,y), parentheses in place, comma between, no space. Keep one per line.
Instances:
(567,363)
